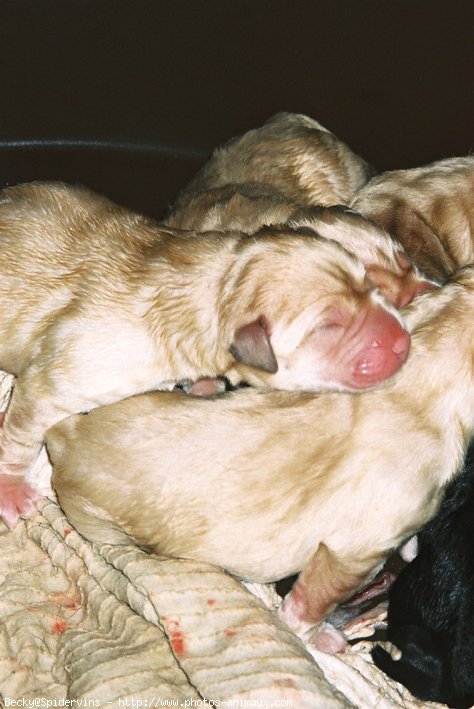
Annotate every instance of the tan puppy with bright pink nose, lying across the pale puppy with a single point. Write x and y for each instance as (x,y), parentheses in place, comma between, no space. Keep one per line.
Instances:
(98,303)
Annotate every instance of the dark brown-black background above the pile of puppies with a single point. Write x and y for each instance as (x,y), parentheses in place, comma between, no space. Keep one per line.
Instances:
(131,97)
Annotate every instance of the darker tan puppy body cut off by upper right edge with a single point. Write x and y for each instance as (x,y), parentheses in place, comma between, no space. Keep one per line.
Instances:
(430,210)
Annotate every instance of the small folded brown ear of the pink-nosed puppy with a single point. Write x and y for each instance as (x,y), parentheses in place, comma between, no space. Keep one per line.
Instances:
(252,346)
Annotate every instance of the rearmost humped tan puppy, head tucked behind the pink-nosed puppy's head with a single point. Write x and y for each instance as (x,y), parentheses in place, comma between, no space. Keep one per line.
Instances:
(281,173)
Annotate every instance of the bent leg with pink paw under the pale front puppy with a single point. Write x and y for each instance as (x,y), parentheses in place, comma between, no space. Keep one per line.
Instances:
(321,586)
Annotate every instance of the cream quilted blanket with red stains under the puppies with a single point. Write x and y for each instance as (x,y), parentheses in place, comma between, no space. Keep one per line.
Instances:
(111,626)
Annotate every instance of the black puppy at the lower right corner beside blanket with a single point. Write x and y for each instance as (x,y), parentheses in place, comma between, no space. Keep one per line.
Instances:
(431,604)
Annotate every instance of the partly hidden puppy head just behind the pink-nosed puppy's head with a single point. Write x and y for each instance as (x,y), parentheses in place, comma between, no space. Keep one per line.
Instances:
(386,262)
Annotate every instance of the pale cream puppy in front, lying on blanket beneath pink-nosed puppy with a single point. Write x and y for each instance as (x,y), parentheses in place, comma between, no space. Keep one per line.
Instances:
(266,485)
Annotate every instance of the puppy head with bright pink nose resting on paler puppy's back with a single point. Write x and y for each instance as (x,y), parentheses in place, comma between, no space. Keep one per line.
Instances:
(304,316)
